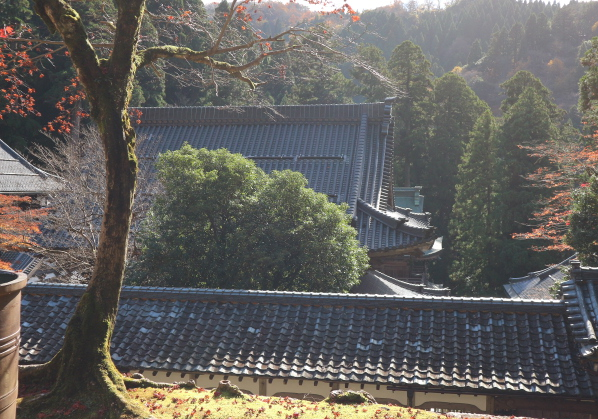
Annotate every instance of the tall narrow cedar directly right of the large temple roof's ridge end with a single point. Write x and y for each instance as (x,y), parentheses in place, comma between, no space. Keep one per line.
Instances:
(410,70)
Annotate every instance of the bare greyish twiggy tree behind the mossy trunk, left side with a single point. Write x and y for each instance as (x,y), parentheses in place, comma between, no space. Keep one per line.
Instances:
(73,225)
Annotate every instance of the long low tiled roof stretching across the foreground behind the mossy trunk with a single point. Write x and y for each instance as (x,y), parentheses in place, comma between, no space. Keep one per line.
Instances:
(499,346)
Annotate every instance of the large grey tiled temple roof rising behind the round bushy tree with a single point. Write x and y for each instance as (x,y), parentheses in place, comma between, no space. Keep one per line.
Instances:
(345,151)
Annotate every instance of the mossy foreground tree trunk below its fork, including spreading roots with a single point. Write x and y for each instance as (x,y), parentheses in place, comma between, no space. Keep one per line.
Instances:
(83,369)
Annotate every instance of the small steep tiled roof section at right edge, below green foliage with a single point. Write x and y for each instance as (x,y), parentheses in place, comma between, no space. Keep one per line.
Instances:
(581,297)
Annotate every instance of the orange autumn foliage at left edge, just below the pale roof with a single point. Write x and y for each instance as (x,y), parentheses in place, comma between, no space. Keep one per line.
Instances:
(18,223)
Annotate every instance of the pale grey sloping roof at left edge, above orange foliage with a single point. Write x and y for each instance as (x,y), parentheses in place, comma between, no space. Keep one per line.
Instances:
(19,177)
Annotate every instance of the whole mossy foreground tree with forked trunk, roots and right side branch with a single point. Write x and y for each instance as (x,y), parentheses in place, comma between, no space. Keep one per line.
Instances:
(83,369)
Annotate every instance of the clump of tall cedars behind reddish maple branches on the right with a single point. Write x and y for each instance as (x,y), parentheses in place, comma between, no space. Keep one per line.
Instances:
(501,191)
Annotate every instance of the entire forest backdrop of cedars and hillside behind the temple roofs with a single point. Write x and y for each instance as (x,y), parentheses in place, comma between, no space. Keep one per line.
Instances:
(482,85)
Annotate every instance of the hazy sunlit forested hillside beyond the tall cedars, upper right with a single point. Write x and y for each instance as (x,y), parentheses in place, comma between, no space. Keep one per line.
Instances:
(489,40)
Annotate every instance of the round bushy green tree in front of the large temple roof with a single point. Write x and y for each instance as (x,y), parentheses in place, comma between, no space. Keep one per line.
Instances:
(221,222)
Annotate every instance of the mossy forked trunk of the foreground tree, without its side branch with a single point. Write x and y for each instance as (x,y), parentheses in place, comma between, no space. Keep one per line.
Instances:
(84,367)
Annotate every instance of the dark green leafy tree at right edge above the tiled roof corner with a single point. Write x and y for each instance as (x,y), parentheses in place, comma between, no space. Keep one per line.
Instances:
(583,222)
